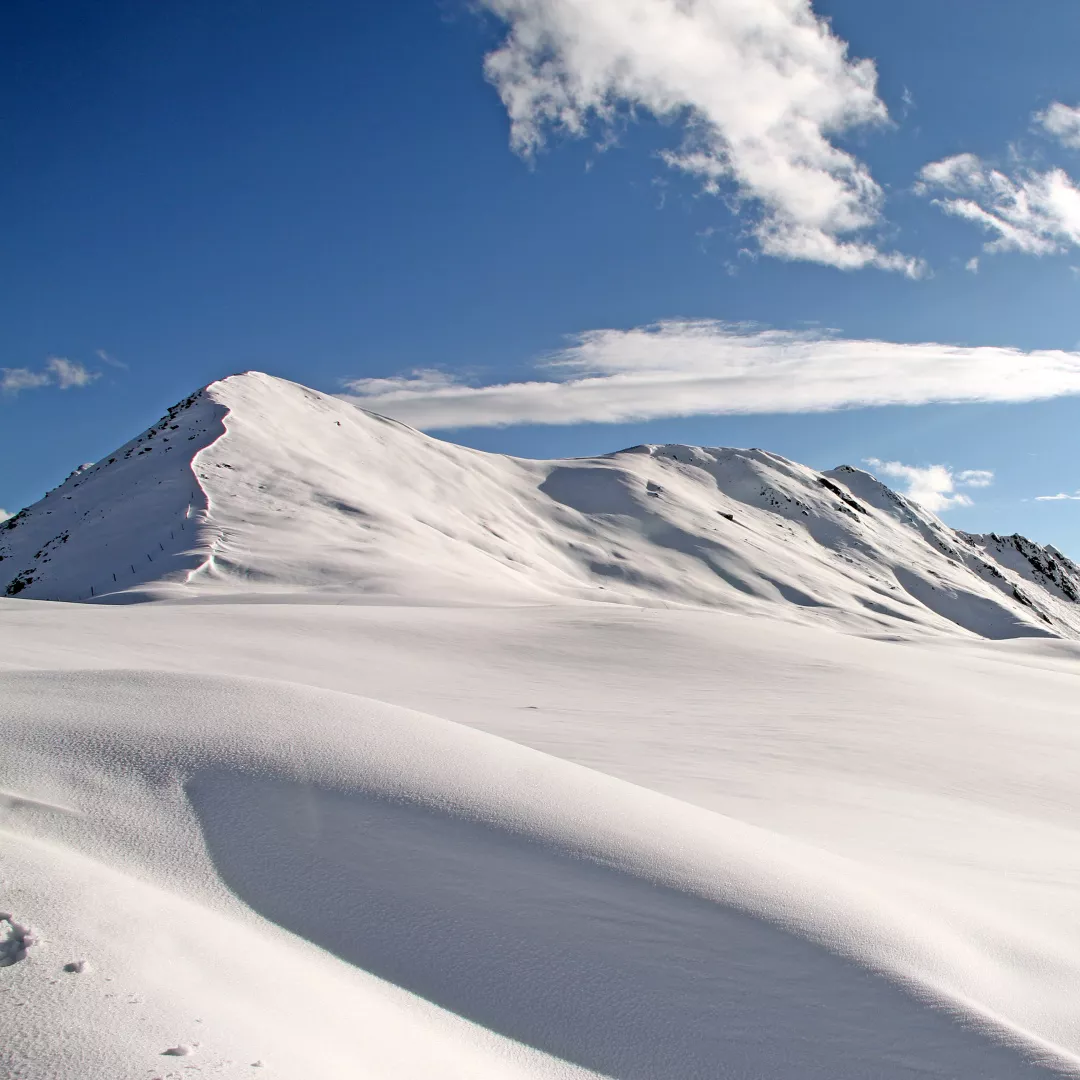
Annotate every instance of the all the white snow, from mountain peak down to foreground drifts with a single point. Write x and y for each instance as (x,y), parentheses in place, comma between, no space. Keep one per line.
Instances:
(353,793)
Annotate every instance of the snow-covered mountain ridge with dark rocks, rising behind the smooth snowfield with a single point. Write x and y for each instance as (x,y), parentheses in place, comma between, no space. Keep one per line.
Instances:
(260,485)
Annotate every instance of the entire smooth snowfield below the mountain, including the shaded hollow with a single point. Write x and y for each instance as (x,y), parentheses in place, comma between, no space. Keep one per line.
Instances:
(663,845)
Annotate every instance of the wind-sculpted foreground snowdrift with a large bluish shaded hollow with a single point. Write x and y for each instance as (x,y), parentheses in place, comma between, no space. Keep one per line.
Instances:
(264,872)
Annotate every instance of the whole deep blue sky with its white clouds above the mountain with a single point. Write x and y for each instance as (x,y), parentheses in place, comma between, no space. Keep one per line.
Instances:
(700,210)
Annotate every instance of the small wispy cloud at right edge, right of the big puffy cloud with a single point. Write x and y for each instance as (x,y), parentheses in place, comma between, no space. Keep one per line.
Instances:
(1032,212)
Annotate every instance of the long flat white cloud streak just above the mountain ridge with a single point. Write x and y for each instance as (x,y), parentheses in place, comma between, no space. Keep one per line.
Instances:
(707,368)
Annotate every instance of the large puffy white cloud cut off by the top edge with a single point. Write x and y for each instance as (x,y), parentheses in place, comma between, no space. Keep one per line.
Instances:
(757,90)
